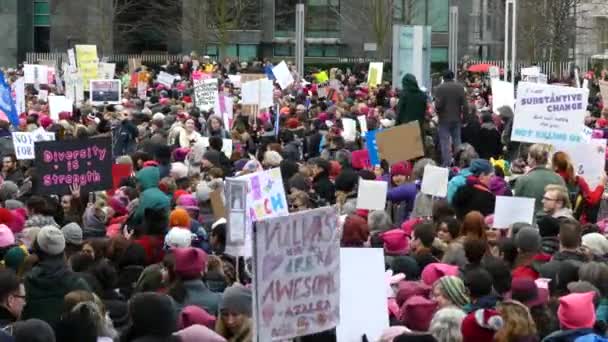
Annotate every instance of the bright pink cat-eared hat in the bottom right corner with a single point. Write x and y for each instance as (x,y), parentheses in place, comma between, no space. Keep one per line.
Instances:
(576,310)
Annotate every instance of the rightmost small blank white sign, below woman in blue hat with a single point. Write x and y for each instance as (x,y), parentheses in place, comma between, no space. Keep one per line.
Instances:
(509,210)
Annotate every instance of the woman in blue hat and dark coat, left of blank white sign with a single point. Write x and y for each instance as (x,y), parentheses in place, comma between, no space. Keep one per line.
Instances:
(476,194)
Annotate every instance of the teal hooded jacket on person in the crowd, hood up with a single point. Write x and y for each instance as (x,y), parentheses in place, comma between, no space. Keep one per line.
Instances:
(151,197)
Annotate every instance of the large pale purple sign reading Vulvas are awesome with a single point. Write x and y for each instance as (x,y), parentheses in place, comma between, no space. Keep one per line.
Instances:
(300,252)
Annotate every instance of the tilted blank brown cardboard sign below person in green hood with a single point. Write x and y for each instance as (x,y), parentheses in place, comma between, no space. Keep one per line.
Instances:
(400,143)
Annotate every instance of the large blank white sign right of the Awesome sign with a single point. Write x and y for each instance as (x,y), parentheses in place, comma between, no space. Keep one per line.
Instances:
(355,262)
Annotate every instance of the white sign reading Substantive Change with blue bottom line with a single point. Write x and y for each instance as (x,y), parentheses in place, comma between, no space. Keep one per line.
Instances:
(549,114)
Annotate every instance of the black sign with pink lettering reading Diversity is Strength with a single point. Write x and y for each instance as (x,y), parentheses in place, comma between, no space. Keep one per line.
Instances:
(60,164)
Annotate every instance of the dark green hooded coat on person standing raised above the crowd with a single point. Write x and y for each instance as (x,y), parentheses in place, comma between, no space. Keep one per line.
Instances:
(412,102)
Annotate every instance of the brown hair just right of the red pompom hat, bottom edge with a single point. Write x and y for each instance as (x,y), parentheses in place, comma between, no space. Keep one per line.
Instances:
(517,322)
